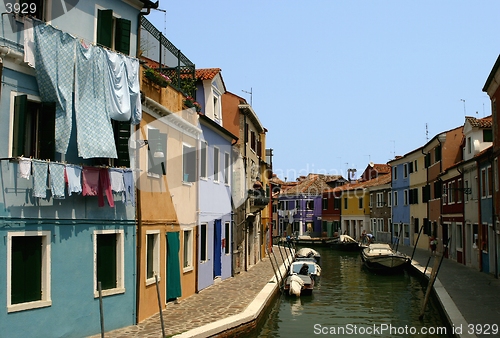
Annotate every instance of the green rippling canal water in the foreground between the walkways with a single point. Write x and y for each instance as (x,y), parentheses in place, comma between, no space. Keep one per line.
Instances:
(350,301)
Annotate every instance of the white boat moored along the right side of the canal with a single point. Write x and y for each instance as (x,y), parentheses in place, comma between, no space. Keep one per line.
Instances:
(382,257)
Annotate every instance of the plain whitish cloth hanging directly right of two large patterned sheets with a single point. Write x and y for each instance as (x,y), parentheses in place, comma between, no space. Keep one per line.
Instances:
(118,93)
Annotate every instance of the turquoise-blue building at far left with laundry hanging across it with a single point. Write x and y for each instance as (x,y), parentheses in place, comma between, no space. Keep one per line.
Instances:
(67,219)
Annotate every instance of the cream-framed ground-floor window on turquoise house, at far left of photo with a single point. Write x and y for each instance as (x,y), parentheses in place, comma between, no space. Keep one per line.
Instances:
(28,270)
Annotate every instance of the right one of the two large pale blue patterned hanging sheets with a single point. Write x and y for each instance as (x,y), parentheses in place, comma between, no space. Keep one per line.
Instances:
(95,136)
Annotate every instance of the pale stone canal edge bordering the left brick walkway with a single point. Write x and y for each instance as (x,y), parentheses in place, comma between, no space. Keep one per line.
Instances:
(245,321)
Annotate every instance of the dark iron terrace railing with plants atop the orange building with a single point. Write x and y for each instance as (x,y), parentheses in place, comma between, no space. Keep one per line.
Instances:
(171,61)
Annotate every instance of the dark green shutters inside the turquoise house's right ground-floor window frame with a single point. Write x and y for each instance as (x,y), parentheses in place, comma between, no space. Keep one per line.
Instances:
(106,261)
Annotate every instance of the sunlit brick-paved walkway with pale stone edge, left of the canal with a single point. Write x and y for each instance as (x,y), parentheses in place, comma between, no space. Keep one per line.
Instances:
(222,301)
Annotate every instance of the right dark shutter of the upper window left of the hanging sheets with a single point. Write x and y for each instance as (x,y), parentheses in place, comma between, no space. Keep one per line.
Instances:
(46,130)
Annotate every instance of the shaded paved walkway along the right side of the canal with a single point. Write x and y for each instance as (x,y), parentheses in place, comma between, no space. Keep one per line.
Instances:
(475,294)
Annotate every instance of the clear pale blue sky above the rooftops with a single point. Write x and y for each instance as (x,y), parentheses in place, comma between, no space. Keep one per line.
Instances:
(342,83)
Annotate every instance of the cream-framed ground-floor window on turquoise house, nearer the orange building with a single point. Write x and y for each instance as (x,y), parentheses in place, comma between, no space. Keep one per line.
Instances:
(109,262)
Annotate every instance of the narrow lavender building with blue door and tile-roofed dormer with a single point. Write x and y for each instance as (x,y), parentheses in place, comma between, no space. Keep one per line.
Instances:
(215,218)
